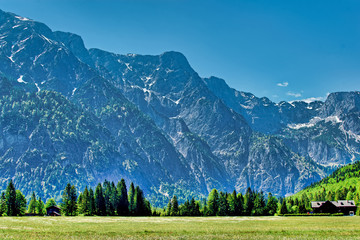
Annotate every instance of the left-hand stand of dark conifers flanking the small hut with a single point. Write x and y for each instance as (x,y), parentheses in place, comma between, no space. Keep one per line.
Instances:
(107,199)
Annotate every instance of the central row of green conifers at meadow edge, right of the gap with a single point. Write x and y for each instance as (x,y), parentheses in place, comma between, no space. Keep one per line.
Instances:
(253,203)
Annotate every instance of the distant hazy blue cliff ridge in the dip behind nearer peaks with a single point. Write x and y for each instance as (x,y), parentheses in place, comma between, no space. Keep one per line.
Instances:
(262,114)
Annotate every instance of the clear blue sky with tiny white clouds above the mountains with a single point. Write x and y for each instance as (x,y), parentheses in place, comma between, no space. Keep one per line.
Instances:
(285,50)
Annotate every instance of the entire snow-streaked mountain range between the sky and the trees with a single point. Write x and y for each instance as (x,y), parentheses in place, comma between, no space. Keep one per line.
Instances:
(72,114)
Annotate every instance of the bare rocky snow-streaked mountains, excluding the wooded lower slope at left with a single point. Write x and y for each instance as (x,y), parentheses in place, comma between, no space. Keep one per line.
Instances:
(173,129)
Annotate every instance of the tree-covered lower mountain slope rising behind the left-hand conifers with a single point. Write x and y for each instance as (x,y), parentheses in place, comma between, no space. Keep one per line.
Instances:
(45,142)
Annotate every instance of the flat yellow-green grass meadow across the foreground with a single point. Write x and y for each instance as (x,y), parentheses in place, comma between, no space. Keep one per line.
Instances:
(179,228)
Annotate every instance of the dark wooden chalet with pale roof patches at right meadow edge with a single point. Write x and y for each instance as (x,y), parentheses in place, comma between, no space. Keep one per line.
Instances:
(341,206)
